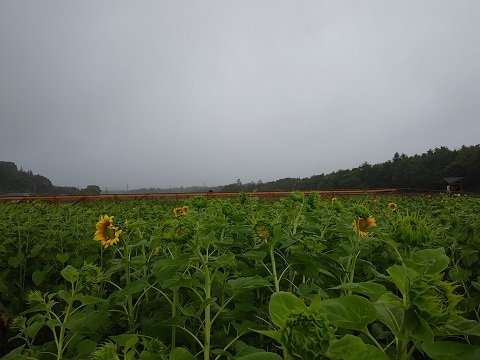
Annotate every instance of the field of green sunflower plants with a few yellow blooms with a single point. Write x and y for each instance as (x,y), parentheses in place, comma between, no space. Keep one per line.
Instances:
(301,277)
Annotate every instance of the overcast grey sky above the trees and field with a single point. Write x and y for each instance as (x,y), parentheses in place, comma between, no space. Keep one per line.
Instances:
(179,93)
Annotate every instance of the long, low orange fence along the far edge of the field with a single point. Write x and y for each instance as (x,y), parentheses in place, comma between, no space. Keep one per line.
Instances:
(263,194)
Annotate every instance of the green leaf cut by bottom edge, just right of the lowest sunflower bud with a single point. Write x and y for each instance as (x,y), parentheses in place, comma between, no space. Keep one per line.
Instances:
(353,348)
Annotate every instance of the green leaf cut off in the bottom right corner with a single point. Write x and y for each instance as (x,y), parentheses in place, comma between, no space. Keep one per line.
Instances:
(448,350)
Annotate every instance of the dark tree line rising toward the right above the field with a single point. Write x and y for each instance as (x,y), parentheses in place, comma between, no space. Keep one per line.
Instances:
(425,171)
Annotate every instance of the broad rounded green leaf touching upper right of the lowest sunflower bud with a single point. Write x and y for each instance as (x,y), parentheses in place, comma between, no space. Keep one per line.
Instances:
(350,312)
